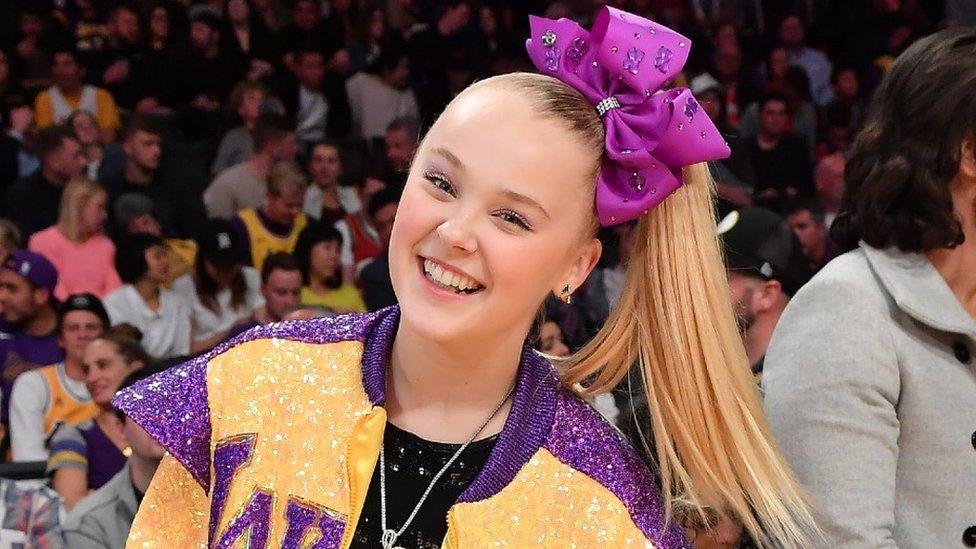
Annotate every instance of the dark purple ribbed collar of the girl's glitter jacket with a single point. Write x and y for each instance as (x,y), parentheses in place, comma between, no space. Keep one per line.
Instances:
(528,423)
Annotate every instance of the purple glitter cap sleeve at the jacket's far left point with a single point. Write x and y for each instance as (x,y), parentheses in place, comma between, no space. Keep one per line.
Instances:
(172,407)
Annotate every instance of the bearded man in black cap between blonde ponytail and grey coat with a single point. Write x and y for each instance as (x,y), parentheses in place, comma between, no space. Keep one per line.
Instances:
(765,266)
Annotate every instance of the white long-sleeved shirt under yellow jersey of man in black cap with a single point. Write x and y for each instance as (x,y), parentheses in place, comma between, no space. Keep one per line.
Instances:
(29,402)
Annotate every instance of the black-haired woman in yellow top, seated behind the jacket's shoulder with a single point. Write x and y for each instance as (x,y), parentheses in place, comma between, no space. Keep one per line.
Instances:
(318,255)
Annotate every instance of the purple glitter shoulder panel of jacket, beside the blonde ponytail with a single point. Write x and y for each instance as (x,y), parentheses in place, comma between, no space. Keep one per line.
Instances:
(582,439)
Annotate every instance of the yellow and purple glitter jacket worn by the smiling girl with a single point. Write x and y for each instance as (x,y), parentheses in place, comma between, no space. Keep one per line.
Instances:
(272,439)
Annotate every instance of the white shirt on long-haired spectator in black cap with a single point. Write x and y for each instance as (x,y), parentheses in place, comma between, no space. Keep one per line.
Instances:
(207,323)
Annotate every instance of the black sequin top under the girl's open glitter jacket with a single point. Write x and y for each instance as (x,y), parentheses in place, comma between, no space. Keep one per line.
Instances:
(411,463)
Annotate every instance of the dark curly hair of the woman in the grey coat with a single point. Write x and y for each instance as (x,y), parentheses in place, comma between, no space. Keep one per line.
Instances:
(898,174)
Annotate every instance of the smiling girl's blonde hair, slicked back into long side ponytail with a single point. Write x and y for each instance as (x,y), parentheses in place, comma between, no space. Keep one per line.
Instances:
(715,455)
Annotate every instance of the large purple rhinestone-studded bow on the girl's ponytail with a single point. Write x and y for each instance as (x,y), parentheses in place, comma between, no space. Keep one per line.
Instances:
(621,66)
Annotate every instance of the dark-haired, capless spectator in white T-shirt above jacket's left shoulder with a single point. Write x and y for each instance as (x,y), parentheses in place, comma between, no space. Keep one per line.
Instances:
(161,314)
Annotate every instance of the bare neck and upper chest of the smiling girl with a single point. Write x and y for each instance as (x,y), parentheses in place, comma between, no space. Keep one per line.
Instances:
(443,391)
